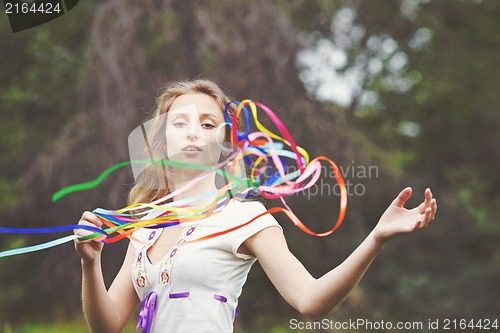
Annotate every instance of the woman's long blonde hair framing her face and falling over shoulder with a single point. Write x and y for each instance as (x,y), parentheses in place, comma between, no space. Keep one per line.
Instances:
(152,183)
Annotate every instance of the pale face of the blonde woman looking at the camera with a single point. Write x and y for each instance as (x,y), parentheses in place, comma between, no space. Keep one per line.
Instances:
(191,129)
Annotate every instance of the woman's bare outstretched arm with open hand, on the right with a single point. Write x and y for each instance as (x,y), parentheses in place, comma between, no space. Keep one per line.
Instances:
(315,298)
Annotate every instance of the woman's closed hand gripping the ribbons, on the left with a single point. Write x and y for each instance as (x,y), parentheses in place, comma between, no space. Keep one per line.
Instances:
(89,250)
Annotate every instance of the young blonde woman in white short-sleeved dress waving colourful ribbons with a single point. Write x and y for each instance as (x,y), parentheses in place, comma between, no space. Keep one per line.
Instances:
(194,287)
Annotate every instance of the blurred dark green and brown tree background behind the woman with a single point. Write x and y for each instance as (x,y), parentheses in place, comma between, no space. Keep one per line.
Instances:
(407,87)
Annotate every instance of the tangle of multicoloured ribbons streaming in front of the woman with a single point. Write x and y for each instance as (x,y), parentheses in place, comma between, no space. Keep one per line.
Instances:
(271,176)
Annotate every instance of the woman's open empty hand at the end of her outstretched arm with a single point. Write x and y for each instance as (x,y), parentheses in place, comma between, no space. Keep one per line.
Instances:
(398,220)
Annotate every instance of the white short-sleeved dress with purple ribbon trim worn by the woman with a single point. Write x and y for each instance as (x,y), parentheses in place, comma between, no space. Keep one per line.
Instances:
(198,284)
